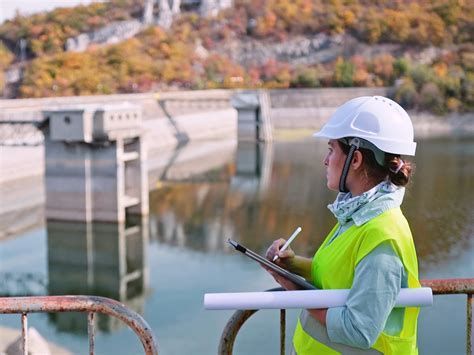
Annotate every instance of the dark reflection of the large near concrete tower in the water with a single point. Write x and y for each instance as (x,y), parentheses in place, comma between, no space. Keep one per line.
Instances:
(103,259)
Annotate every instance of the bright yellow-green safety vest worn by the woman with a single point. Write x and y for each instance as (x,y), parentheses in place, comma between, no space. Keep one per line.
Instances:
(333,267)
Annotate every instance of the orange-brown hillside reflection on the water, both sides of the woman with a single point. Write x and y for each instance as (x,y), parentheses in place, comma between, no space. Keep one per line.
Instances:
(280,186)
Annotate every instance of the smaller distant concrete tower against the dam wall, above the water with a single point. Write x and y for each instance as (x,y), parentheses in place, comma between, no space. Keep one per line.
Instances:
(254,118)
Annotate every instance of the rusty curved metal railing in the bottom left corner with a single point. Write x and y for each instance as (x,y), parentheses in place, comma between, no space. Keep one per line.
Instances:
(85,304)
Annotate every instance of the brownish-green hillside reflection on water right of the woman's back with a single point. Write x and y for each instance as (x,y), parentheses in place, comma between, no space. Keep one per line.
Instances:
(439,204)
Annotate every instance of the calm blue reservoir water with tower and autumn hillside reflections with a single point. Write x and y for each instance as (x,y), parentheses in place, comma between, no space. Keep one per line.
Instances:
(258,194)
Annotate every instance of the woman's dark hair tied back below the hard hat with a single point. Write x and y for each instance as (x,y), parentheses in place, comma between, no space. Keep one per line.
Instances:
(388,171)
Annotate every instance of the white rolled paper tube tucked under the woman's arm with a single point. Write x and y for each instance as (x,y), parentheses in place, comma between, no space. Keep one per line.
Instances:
(309,299)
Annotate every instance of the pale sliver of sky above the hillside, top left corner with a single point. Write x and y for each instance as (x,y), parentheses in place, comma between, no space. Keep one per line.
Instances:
(26,7)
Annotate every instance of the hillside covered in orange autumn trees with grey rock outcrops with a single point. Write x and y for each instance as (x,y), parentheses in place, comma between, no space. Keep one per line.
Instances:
(423,48)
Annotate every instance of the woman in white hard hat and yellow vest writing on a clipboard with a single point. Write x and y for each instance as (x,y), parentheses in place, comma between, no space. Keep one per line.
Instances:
(370,250)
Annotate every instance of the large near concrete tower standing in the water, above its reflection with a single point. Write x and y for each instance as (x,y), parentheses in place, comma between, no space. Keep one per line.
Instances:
(95,164)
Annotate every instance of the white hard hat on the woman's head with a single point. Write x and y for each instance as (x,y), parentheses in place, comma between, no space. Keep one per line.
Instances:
(376,119)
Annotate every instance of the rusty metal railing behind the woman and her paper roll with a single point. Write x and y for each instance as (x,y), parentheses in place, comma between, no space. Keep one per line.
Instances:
(439,287)
